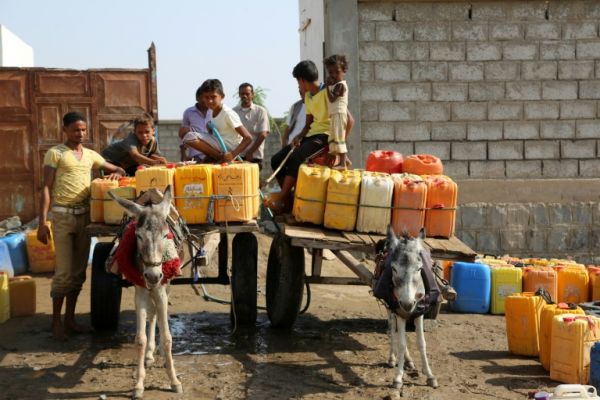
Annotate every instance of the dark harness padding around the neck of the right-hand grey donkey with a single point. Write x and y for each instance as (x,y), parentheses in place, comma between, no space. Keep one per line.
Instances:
(384,288)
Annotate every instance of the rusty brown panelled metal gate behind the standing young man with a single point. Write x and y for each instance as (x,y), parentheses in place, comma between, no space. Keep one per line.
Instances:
(32,103)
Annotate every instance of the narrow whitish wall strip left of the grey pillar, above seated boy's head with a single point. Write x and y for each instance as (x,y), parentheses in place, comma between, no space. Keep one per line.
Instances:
(312,32)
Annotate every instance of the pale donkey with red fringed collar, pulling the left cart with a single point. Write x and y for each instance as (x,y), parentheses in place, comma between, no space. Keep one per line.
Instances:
(151,301)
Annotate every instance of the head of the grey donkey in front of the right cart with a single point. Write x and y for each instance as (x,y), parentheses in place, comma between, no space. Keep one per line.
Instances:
(405,260)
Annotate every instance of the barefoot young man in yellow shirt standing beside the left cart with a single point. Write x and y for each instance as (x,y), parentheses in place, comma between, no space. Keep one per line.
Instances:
(67,180)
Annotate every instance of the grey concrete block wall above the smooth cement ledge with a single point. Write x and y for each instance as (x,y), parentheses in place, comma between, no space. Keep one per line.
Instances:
(496,89)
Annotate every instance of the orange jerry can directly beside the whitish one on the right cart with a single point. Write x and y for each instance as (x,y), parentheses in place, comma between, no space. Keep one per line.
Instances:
(410,198)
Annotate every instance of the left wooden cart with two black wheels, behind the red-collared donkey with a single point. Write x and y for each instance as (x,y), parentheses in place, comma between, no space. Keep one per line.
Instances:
(202,242)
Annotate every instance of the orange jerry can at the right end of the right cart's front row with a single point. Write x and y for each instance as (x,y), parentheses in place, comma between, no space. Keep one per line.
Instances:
(442,195)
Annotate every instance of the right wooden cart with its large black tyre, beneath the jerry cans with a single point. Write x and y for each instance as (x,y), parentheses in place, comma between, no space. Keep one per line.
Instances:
(286,271)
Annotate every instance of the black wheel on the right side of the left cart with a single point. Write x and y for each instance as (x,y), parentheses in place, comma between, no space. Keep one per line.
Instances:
(243,279)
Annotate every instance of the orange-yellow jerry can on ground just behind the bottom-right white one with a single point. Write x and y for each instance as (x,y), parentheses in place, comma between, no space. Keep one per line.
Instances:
(572,339)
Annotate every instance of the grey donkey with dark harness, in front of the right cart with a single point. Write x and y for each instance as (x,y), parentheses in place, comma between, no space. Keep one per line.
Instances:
(407,298)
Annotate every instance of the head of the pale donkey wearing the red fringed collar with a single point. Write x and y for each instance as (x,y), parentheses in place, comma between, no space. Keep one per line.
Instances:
(150,233)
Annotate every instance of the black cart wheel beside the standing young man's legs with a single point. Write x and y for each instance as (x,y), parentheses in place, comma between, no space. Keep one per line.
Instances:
(106,291)
